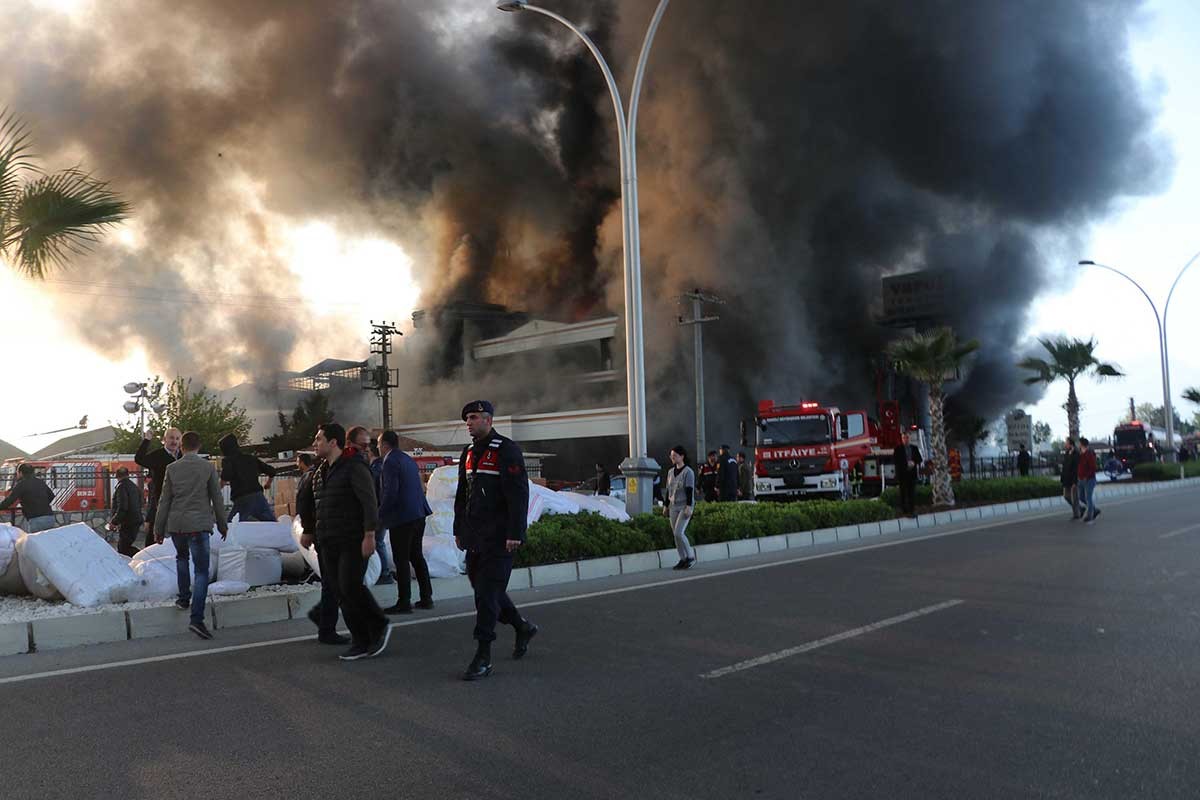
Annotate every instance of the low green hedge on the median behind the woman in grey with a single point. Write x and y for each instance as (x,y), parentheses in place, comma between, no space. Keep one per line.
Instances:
(569,538)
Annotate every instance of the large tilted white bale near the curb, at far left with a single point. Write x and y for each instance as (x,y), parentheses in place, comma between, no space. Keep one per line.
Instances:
(81,566)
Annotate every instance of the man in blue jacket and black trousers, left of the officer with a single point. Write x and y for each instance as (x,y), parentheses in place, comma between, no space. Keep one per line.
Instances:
(403,512)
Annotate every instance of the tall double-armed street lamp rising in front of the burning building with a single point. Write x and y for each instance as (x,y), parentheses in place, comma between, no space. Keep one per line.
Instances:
(639,468)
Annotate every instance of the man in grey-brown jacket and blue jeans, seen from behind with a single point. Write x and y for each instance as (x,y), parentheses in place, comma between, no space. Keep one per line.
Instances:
(190,504)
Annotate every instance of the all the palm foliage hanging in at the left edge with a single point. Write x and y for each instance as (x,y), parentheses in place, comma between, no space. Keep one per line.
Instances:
(47,218)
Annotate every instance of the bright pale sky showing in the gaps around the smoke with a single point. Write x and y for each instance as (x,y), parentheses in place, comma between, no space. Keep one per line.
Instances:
(55,377)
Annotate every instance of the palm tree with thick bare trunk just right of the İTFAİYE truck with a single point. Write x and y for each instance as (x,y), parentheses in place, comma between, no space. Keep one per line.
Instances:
(932,358)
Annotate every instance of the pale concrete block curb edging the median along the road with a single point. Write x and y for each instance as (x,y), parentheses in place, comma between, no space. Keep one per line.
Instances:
(145,623)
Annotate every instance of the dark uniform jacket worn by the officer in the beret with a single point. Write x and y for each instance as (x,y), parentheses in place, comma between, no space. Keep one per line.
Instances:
(493,503)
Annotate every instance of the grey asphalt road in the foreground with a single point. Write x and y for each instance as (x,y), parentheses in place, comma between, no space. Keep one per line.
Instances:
(1069,670)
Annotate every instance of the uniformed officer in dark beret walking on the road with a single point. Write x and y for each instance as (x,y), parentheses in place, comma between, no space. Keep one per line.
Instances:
(490,514)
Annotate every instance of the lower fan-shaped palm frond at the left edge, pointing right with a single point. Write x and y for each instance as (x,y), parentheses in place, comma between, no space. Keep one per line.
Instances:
(57,216)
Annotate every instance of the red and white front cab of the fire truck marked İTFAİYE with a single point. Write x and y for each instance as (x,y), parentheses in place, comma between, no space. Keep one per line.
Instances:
(808,450)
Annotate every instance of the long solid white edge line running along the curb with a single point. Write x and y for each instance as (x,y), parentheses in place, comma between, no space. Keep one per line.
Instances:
(706,576)
